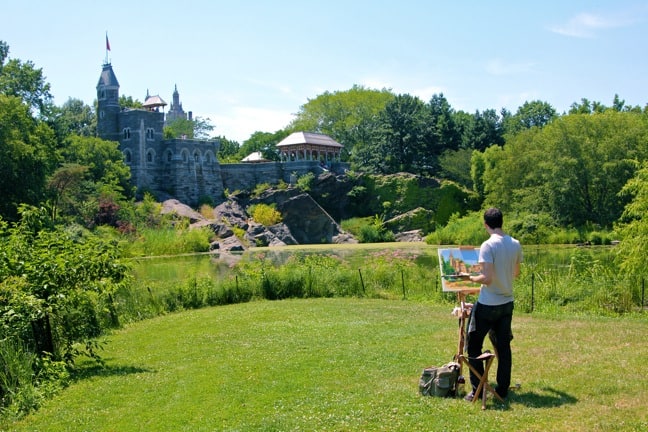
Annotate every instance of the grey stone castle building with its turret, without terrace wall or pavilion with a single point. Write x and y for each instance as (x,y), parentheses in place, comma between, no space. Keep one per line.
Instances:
(186,169)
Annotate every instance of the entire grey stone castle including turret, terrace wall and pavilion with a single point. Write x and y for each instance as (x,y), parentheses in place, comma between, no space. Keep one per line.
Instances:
(188,169)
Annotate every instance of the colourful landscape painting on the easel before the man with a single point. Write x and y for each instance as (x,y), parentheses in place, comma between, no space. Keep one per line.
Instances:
(457,265)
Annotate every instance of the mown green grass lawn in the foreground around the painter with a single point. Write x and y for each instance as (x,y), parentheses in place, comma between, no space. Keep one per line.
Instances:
(348,365)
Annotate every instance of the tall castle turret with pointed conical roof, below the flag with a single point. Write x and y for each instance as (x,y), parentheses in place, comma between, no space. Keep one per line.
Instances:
(108,105)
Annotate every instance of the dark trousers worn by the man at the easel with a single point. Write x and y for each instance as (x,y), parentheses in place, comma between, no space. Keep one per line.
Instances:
(498,319)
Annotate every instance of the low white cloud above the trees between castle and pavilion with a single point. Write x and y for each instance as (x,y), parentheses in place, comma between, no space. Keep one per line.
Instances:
(241,122)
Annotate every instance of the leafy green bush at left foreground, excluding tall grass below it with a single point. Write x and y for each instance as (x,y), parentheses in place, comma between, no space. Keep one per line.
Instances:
(65,286)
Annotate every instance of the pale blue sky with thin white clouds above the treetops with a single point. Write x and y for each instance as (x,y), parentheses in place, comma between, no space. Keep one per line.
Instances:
(249,66)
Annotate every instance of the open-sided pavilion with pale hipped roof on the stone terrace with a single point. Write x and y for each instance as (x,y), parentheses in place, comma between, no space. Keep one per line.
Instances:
(309,146)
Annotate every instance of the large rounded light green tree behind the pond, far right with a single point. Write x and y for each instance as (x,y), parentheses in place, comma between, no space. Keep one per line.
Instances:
(572,168)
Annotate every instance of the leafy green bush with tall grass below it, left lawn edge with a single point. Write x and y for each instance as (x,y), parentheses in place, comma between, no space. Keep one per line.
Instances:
(56,291)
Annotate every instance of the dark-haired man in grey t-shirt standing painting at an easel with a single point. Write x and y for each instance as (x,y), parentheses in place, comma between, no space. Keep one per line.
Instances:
(500,257)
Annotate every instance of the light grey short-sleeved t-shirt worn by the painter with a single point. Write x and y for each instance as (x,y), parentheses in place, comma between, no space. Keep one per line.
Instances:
(503,252)
